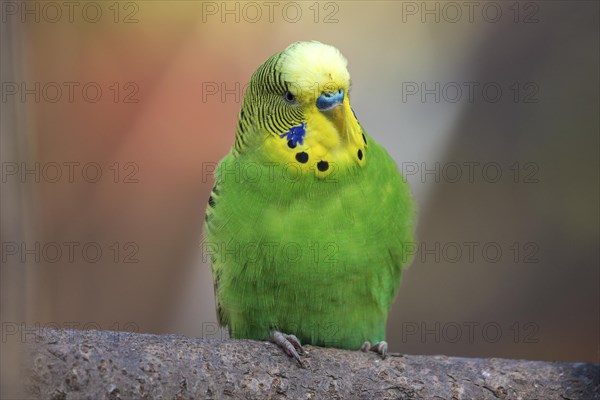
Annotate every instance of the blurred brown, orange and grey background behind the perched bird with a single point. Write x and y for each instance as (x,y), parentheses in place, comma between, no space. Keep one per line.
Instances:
(113,115)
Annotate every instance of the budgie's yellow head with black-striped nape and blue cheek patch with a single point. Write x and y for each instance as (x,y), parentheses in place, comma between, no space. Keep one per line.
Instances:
(299,100)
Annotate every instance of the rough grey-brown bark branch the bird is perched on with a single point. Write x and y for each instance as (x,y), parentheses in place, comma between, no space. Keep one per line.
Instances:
(71,364)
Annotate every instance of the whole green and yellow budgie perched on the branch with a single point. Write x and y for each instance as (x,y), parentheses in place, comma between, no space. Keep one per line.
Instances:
(309,221)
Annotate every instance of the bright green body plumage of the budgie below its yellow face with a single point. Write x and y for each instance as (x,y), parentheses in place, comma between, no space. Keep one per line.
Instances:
(315,256)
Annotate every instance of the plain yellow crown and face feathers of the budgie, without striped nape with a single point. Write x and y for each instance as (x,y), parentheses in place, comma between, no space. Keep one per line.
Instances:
(333,138)
